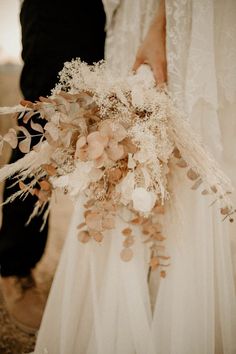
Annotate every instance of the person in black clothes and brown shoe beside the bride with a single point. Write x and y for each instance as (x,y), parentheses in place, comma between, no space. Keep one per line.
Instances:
(53,32)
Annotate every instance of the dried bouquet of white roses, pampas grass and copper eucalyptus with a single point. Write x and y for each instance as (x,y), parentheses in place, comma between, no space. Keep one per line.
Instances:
(116,141)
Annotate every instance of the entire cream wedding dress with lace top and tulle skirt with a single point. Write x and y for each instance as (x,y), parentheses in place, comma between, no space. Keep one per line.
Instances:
(99,304)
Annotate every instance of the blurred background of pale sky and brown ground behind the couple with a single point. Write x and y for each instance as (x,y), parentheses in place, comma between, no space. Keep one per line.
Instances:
(12,340)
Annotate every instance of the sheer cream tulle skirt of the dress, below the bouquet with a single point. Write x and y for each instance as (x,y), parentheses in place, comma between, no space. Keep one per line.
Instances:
(100,304)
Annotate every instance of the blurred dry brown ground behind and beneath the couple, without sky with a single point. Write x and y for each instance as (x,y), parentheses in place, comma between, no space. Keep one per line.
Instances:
(12,340)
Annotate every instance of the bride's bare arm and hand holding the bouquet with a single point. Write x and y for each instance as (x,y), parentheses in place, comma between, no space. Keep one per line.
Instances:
(153,49)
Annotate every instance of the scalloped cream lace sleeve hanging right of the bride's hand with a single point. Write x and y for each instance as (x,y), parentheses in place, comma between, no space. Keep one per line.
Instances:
(201,50)
